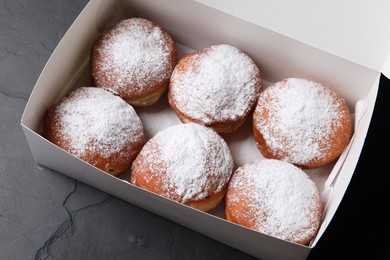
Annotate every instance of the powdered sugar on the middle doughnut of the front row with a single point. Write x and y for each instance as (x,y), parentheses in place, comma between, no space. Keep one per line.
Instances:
(194,161)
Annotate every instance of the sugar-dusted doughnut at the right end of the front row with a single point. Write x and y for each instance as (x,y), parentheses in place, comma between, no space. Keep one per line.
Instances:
(275,198)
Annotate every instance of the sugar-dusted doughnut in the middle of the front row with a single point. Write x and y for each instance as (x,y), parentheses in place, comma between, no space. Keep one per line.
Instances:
(187,163)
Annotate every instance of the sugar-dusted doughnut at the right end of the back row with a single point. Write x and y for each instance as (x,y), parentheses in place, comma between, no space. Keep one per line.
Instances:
(302,122)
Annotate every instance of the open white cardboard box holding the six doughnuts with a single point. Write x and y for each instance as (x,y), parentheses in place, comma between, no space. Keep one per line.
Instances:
(284,38)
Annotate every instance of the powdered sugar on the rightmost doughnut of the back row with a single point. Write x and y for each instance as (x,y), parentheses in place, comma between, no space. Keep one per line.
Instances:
(301,115)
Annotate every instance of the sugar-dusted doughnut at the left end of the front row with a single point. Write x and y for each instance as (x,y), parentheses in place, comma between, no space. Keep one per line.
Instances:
(96,126)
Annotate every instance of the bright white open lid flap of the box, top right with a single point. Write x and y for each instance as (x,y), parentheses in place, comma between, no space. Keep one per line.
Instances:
(358,31)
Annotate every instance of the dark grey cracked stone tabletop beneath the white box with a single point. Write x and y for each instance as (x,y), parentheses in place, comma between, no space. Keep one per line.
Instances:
(45,215)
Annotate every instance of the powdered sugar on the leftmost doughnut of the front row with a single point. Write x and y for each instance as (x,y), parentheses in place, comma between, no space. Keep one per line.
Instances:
(95,120)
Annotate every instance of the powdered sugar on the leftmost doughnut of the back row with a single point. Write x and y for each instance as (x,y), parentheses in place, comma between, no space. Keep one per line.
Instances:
(135,52)
